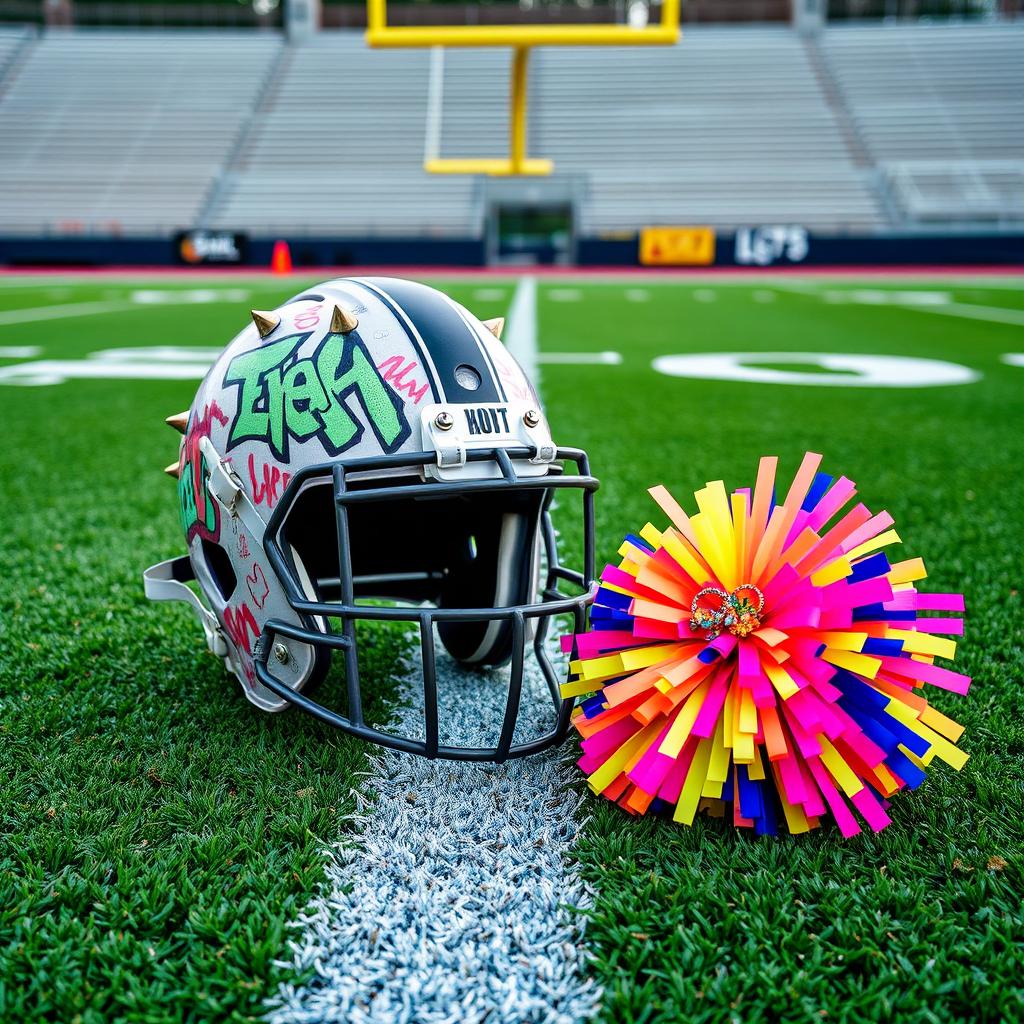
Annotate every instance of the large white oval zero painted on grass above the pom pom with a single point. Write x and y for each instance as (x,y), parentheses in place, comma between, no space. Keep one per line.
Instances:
(849,371)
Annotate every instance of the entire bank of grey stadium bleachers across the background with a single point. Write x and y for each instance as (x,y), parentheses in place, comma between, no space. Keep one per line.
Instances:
(856,131)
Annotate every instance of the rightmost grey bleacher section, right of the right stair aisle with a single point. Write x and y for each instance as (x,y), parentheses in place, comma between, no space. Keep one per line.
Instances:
(941,110)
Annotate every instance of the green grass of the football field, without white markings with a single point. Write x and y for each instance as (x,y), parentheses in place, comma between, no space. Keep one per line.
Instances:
(157,833)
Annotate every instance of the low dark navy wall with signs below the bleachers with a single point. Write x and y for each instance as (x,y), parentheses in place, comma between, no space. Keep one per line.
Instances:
(771,246)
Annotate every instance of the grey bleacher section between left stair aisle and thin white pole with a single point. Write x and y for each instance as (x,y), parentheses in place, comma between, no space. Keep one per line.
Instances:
(337,149)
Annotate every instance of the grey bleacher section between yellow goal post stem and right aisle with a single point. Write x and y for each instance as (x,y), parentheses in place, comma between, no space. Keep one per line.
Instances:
(730,129)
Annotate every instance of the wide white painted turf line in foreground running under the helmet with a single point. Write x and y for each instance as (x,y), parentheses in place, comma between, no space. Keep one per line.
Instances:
(453,901)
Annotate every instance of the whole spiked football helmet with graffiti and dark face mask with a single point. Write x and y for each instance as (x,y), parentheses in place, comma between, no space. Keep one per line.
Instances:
(370,451)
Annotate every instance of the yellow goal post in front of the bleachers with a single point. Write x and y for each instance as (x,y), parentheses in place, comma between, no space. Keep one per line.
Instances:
(522,38)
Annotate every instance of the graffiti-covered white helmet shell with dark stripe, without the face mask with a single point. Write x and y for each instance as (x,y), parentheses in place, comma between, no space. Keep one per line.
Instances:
(305,394)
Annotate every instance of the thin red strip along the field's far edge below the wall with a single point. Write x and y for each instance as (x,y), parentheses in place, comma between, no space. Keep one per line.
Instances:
(556,273)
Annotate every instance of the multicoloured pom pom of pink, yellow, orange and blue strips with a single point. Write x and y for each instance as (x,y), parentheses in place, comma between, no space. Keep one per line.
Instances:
(764,662)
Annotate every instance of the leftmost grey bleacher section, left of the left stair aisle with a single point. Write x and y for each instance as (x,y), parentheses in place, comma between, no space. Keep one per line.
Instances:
(124,133)
